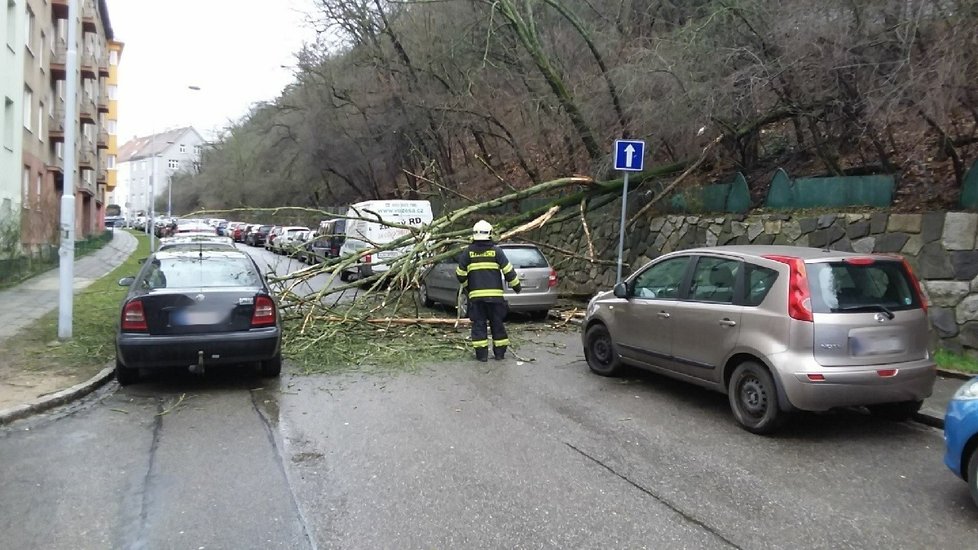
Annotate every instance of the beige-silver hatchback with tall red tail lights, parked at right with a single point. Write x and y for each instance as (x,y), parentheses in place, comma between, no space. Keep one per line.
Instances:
(776,328)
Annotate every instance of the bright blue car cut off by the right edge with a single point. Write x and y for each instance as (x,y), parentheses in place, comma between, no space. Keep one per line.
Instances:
(961,435)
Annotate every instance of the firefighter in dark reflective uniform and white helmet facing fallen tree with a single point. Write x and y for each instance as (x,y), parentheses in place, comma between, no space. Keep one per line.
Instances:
(481,268)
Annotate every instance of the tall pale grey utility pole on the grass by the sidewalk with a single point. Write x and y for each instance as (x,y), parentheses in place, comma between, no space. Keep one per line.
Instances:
(66,253)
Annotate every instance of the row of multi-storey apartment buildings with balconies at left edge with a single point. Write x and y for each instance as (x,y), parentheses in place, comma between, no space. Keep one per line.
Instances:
(35,86)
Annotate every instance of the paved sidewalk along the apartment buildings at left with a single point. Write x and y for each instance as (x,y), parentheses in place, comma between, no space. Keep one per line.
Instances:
(33,298)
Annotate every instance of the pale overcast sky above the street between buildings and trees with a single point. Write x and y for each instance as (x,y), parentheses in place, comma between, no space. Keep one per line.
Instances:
(232,49)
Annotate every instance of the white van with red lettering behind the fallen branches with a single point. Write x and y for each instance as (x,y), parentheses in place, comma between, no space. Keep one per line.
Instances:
(367,233)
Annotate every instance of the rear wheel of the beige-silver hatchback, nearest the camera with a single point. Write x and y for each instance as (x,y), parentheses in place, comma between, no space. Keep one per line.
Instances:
(753,399)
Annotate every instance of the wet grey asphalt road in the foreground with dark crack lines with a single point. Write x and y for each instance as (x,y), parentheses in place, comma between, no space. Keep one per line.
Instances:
(518,454)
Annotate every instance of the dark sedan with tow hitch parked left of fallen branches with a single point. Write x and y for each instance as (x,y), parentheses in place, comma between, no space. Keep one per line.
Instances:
(187,308)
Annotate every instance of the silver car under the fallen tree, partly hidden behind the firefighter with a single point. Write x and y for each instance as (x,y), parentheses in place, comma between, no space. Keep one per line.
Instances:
(537,279)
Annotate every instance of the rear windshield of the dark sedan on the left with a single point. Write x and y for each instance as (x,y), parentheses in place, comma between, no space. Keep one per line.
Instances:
(196,272)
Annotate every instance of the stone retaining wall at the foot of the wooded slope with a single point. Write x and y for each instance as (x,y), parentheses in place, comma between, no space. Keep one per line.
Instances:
(940,246)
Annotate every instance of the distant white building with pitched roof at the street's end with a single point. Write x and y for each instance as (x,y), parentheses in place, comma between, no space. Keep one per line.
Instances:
(149,162)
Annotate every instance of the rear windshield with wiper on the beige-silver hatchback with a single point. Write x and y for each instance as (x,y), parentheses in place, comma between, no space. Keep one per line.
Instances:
(839,287)
